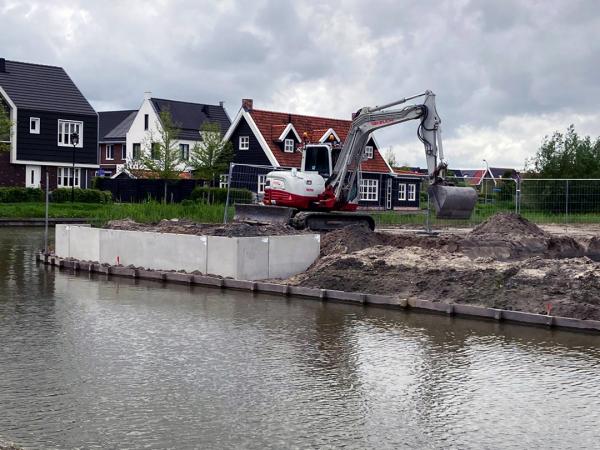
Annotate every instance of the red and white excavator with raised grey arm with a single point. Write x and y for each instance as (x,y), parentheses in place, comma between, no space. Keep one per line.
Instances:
(323,195)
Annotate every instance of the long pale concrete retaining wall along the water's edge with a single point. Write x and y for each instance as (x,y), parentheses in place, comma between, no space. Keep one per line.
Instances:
(242,258)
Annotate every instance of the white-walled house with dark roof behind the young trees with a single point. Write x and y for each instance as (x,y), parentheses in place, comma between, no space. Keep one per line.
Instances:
(139,128)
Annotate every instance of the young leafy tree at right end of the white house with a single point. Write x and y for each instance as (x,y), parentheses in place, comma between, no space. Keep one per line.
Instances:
(211,157)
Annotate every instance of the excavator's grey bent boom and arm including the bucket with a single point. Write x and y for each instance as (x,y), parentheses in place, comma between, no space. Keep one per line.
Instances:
(342,185)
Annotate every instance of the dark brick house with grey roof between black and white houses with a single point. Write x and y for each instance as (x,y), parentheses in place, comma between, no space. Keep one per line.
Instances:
(113,126)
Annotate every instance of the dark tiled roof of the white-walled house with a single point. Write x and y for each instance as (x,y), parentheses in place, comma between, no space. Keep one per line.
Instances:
(190,116)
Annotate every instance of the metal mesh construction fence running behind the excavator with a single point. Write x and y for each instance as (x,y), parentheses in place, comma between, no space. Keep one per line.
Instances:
(402,200)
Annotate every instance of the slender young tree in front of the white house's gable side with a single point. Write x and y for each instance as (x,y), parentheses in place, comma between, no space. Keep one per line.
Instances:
(160,157)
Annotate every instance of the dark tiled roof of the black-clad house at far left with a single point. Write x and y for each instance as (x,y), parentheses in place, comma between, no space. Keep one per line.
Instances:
(45,88)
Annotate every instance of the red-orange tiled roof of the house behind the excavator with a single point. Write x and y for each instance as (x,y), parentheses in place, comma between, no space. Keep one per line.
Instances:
(271,124)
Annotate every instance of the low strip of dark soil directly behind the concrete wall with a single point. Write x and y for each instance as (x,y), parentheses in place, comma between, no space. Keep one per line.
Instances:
(237,229)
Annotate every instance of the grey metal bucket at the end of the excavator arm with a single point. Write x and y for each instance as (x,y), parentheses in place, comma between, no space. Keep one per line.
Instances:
(453,202)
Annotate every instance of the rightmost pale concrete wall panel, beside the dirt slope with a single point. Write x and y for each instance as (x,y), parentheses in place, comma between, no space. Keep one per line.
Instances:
(290,255)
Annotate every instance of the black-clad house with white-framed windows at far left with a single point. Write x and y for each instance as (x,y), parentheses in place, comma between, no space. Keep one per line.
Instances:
(55,129)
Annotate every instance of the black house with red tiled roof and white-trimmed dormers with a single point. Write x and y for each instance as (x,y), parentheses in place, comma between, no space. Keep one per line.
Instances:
(267,139)
